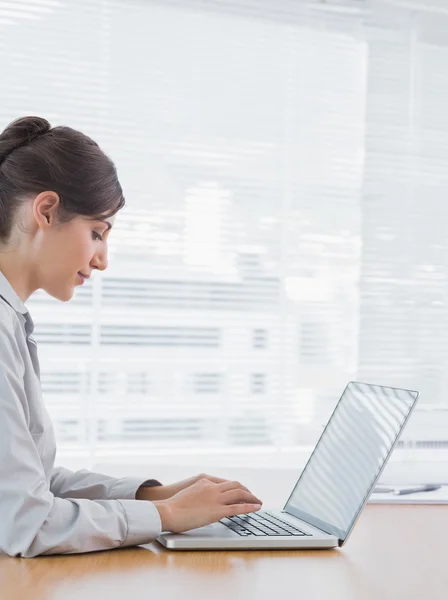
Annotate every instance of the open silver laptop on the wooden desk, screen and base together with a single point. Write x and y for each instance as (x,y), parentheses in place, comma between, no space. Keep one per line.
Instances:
(334,486)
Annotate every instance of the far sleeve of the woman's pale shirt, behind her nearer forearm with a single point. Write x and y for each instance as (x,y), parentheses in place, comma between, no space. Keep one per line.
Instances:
(95,486)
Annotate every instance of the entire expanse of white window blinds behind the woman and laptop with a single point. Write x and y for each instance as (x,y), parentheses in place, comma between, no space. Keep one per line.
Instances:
(284,167)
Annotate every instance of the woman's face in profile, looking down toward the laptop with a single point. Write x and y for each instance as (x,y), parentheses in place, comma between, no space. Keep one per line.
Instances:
(67,250)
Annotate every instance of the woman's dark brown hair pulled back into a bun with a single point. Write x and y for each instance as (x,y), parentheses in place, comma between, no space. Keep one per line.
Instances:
(35,157)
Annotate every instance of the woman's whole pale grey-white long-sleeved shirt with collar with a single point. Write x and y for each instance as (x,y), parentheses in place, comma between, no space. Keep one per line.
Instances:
(46,509)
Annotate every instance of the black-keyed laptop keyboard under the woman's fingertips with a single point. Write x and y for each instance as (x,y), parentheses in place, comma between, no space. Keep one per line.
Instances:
(261,524)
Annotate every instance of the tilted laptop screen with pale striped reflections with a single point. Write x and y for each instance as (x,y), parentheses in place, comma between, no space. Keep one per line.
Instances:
(350,455)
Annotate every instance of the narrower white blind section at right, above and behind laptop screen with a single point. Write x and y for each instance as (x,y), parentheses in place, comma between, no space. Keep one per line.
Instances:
(404,311)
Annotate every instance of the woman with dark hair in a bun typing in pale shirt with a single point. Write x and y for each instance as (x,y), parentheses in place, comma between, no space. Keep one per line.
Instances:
(59,194)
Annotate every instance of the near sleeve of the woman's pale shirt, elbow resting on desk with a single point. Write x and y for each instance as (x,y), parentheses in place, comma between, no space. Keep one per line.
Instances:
(33,521)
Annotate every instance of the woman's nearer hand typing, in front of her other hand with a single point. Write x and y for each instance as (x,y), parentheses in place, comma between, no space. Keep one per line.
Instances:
(205,502)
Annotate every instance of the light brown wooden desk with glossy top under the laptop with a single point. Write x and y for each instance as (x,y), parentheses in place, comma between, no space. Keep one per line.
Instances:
(395,552)
